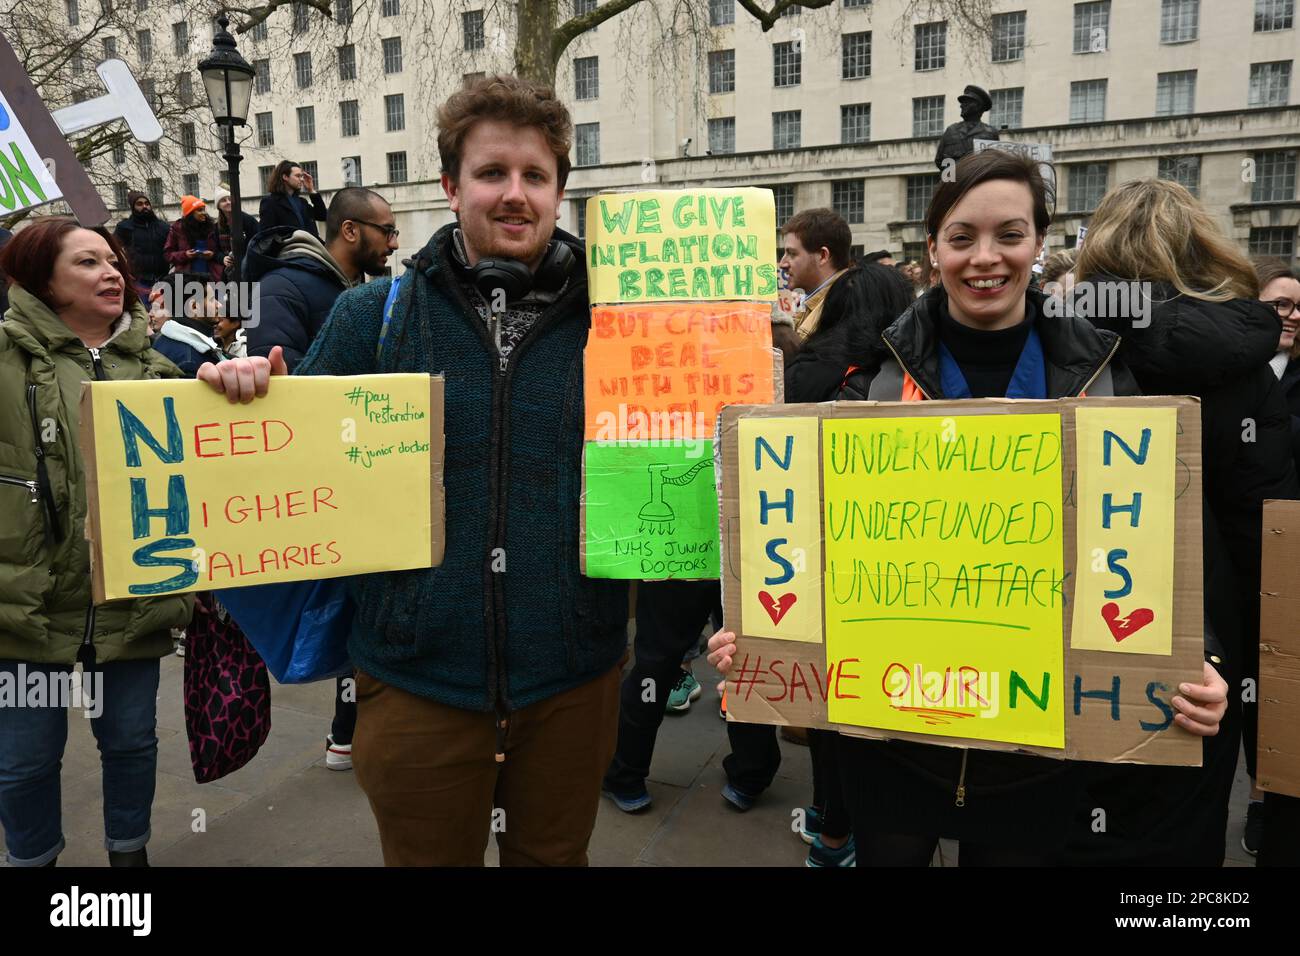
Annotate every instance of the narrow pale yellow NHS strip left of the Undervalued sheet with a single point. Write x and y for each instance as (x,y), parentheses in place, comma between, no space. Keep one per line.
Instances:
(781,516)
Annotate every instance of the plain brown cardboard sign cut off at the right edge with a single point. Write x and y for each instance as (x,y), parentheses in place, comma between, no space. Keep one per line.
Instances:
(1279,693)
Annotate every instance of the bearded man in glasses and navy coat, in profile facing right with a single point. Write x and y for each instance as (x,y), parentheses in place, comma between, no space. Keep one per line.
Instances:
(298,279)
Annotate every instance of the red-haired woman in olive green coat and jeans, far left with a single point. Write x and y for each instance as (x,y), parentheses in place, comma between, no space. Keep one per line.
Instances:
(73,315)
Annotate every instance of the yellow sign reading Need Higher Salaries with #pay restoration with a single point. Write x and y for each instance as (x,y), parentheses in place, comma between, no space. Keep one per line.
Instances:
(324,478)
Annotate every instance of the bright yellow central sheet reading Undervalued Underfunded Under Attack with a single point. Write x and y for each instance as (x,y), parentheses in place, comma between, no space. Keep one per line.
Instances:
(944,576)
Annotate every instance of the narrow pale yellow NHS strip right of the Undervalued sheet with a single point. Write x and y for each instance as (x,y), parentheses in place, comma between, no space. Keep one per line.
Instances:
(1125,591)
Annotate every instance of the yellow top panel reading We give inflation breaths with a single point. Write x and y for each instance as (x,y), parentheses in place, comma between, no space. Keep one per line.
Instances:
(677,245)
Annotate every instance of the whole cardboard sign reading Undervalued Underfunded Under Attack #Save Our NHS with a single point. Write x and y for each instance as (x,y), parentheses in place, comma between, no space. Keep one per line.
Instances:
(937,552)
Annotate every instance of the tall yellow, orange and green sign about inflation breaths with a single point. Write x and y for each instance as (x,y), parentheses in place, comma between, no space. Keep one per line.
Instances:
(682,285)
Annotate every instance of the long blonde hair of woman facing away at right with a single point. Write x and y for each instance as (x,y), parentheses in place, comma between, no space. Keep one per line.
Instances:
(1155,231)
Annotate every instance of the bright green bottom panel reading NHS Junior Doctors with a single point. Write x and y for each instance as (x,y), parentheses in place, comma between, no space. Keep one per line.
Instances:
(652,511)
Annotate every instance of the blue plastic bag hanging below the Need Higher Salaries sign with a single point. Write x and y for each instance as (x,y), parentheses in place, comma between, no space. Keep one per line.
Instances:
(300,628)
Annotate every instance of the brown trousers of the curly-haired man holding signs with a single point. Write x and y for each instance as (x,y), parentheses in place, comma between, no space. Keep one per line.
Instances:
(437,790)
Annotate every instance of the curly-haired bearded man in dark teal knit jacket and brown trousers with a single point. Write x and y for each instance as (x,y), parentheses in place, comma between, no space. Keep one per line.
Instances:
(488,689)
